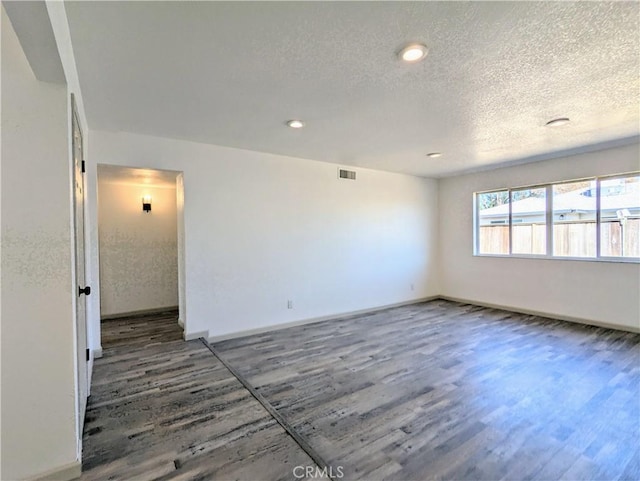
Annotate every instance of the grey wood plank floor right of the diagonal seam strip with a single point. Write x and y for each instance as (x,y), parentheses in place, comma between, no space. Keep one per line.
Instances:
(443,390)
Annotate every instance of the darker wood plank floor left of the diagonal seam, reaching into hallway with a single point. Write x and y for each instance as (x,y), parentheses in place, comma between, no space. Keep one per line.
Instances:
(161,408)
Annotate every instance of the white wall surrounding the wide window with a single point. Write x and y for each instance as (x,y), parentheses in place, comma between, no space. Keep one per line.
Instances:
(601,292)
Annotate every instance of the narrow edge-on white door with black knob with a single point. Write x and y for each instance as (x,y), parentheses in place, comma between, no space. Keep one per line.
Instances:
(82,290)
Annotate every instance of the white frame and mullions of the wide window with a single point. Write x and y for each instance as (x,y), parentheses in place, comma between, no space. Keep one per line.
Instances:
(548,186)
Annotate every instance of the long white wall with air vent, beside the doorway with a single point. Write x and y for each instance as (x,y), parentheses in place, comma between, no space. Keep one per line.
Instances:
(262,229)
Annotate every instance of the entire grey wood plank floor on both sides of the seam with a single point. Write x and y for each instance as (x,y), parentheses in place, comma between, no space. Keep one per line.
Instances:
(438,390)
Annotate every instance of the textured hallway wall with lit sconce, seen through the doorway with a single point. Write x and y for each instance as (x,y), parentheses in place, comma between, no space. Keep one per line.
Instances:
(138,250)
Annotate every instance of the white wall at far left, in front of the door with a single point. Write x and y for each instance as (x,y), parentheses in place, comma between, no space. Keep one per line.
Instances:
(38,363)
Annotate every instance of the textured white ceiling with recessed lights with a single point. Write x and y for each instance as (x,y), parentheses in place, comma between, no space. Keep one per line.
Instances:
(231,73)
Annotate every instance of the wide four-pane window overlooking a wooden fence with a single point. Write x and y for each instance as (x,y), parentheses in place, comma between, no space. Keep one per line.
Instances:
(588,218)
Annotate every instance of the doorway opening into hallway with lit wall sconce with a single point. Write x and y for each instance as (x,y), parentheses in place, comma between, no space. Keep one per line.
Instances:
(141,251)
